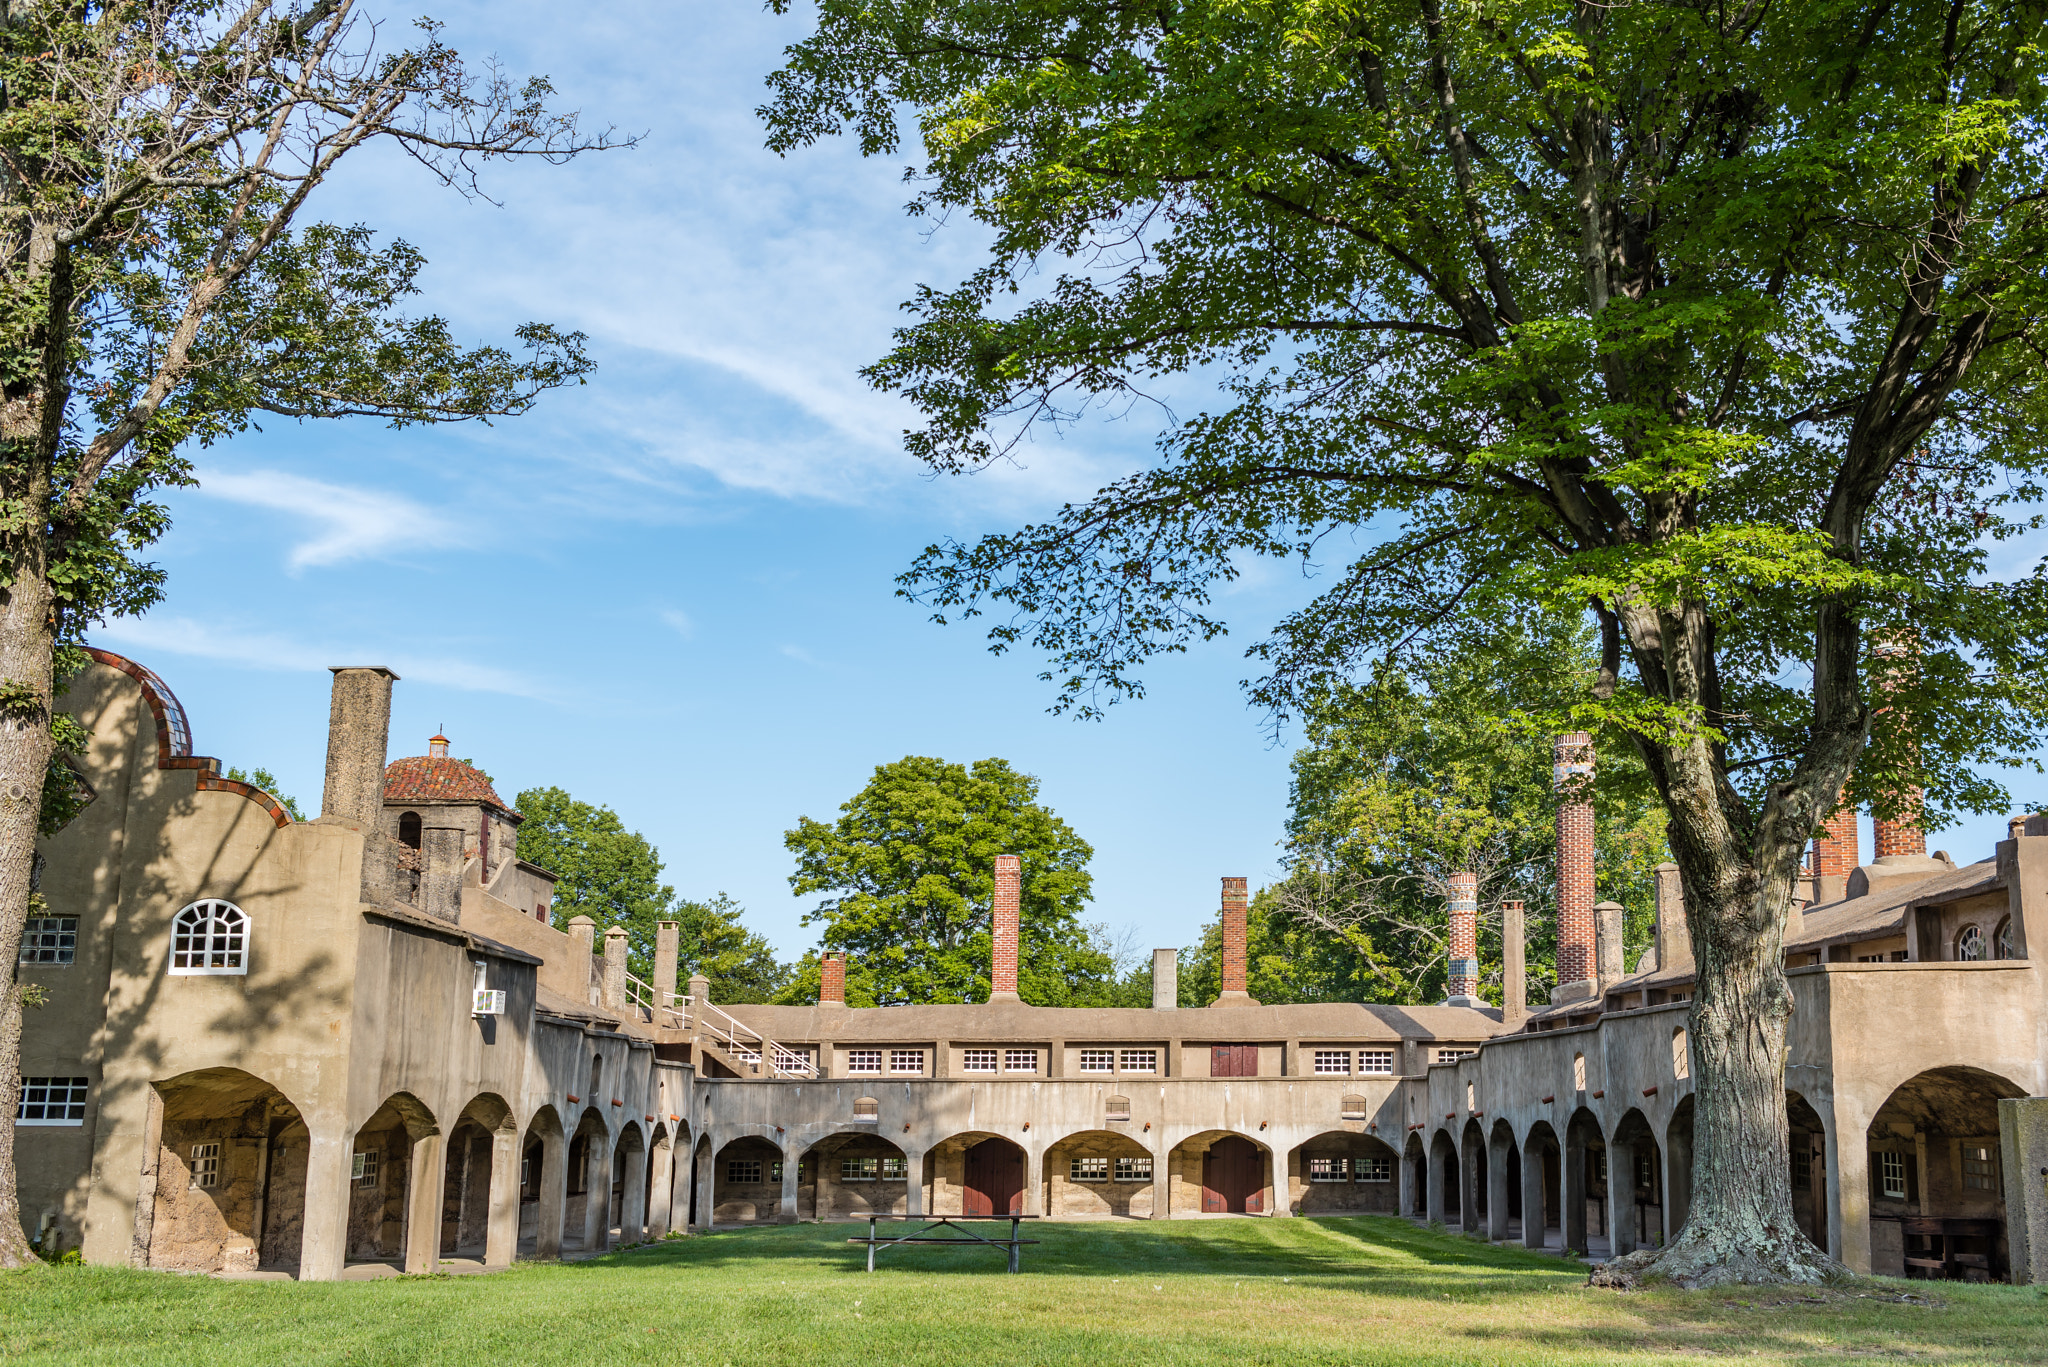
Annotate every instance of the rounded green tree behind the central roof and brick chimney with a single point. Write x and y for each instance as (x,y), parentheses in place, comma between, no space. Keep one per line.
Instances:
(908,880)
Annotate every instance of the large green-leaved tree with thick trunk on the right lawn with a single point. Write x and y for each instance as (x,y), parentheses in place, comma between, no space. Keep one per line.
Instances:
(1715,323)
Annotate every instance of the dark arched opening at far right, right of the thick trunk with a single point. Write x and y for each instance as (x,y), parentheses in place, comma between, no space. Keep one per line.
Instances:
(1936,1177)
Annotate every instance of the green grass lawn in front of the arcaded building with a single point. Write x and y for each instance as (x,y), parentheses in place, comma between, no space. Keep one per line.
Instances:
(1240,1292)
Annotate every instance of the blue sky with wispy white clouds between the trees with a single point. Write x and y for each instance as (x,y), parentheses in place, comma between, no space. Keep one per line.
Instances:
(671,591)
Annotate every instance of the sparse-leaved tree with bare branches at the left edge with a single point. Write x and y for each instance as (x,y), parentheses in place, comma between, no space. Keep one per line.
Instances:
(159,288)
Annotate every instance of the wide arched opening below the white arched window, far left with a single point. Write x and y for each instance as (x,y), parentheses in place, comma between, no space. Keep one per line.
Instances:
(228,1173)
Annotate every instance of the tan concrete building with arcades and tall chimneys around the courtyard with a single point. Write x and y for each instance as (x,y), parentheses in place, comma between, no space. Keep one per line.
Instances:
(359,1044)
